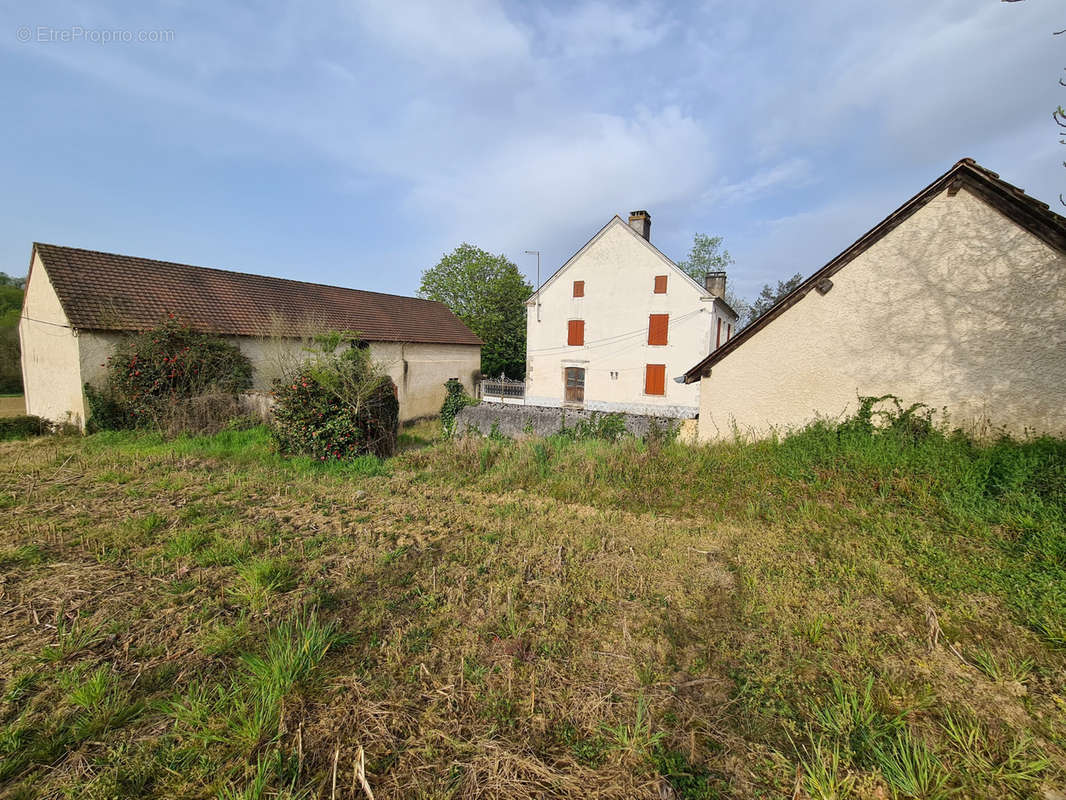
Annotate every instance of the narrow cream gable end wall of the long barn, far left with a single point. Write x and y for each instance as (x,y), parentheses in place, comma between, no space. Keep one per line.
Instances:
(52,370)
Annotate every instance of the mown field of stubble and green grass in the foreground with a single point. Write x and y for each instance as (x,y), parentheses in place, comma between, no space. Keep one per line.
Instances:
(836,615)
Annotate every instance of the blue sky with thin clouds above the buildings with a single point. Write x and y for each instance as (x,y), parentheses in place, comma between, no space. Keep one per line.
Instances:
(356,143)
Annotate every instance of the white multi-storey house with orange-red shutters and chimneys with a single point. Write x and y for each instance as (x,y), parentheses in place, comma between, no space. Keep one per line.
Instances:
(618,324)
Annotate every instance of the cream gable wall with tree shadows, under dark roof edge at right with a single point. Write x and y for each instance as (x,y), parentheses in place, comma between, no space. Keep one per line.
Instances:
(959,309)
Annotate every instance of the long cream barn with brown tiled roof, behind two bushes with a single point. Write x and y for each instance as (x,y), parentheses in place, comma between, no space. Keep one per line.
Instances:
(80,303)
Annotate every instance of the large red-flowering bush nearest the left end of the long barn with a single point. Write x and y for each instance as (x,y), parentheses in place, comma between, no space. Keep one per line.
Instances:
(157,376)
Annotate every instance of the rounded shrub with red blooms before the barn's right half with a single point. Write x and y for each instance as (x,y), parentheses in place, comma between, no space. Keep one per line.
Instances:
(336,408)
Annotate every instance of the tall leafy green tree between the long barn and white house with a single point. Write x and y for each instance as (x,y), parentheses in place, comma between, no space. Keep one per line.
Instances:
(489,294)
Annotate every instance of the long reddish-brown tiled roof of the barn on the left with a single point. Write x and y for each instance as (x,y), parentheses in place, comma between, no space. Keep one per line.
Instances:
(105,292)
